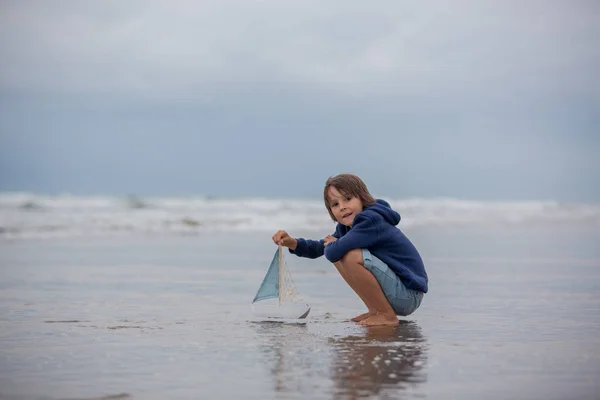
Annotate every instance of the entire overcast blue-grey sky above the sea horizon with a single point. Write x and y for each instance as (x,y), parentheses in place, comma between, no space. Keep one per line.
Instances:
(466,99)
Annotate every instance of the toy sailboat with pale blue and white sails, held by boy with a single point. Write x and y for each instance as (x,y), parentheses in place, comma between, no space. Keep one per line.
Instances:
(278,284)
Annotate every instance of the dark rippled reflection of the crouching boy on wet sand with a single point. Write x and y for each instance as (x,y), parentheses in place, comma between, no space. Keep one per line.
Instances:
(384,361)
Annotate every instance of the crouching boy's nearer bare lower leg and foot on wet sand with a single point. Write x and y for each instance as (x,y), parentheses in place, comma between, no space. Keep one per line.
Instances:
(362,281)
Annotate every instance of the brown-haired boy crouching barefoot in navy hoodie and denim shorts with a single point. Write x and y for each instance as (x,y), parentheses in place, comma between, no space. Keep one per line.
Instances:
(372,255)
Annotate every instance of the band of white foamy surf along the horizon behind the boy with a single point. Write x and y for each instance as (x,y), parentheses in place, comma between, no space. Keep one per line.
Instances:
(25,215)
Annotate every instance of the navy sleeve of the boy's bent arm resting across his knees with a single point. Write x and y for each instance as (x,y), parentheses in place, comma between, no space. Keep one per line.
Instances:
(363,234)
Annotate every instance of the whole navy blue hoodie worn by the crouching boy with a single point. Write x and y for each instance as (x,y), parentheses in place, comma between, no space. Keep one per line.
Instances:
(374,229)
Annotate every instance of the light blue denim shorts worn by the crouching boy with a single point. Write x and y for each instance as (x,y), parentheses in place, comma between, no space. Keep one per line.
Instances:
(404,301)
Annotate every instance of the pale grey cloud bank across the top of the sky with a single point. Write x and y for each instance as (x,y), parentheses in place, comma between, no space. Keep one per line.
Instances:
(191,49)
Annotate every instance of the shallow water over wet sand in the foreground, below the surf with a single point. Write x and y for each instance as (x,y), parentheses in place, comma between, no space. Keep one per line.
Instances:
(510,314)
